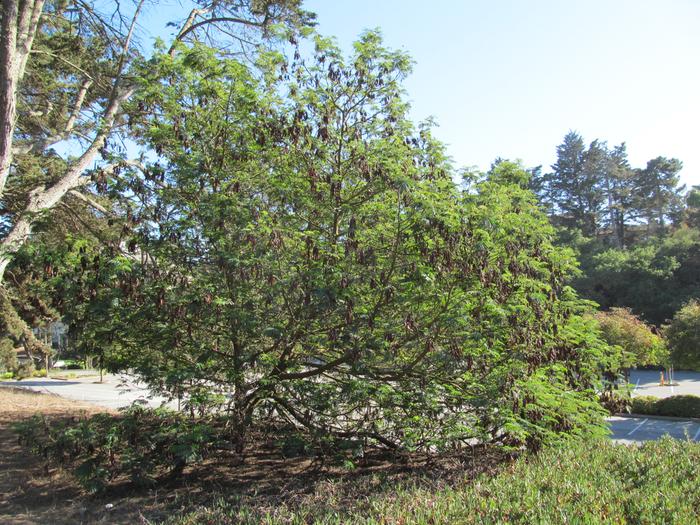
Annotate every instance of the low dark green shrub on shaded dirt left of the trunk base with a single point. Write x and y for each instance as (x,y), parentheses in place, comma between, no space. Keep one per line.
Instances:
(140,445)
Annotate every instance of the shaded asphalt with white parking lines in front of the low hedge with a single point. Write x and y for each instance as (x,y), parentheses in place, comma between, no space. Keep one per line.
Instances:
(639,428)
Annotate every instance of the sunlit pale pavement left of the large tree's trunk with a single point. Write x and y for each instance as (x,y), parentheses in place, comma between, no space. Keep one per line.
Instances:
(114,392)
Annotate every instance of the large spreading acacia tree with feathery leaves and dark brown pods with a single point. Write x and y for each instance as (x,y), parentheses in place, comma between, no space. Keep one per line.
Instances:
(305,255)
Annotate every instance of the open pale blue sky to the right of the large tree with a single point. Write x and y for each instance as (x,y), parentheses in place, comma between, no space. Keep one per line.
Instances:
(509,78)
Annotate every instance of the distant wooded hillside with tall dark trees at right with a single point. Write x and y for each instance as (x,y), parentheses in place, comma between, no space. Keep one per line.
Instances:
(636,230)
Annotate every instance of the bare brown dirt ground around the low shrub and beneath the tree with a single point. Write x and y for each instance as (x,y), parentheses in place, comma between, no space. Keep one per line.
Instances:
(31,492)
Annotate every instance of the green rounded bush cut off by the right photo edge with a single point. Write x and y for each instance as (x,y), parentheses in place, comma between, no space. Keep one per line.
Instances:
(683,335)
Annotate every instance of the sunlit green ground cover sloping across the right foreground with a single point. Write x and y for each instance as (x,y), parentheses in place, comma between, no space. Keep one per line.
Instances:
(597,482)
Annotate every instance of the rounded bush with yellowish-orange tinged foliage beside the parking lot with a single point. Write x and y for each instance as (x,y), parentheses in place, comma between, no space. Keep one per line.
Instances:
(641,346)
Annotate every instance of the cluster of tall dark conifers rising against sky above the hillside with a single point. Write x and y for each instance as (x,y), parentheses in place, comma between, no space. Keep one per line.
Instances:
(594,190)
